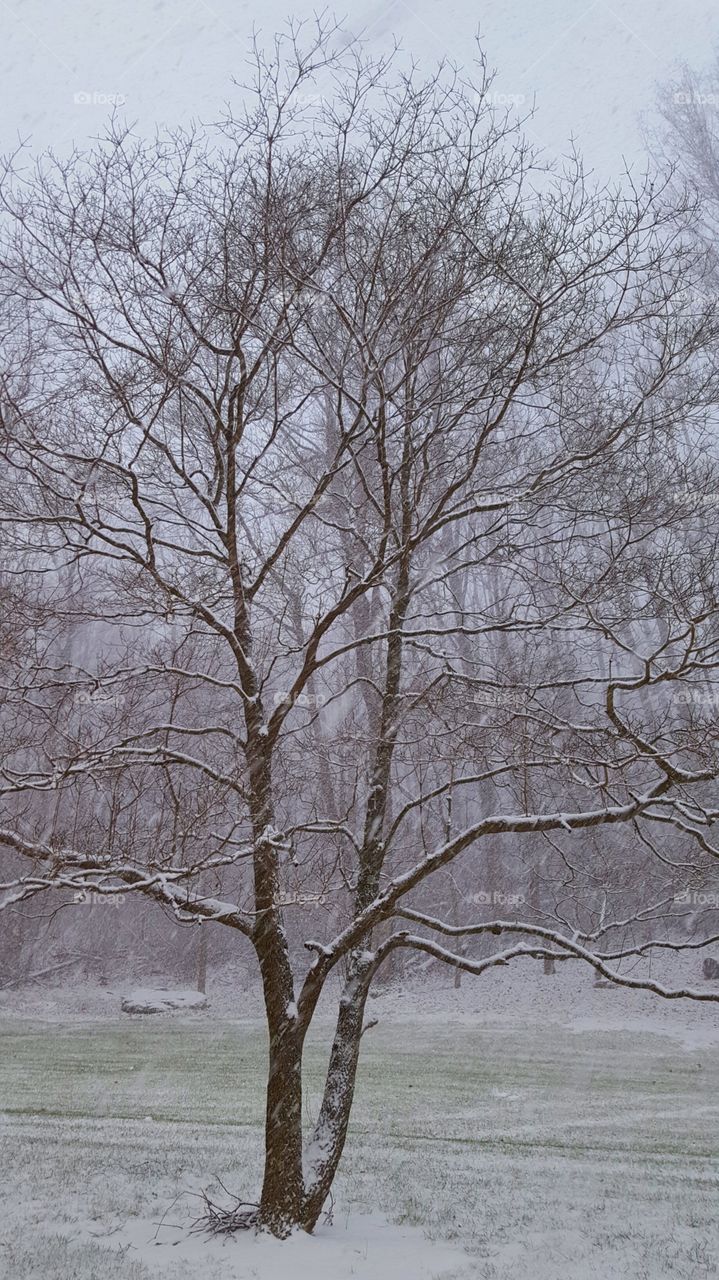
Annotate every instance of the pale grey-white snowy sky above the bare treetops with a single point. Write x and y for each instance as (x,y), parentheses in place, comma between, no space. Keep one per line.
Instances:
(593,67)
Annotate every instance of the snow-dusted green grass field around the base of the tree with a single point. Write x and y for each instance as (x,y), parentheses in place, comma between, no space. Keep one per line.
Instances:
(542,1153)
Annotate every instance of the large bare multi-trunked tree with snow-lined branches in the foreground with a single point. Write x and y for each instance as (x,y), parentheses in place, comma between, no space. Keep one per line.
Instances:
(346,441)
